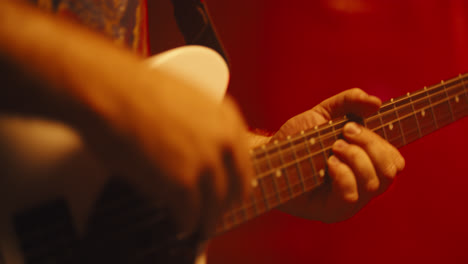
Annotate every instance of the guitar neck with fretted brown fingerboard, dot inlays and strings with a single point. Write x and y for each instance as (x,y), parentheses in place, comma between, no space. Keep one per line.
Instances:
(286,169)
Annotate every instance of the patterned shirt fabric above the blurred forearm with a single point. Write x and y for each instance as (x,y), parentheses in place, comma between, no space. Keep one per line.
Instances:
(125,21)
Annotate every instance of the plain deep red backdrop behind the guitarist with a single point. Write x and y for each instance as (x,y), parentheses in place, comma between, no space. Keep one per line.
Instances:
(289,55)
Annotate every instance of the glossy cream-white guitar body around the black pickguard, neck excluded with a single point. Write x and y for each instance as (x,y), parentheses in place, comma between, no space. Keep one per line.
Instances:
(42,161)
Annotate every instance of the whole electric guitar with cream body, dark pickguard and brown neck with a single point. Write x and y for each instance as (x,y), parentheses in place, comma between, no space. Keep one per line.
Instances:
(59,205)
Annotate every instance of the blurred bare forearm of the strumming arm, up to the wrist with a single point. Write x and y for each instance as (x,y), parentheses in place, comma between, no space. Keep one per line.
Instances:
(55,68)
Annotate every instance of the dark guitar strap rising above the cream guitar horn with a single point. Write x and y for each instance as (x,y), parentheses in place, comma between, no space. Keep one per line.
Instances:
(195,25)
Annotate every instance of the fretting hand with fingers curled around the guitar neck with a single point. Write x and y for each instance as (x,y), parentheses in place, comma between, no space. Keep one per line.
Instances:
(362,167)
